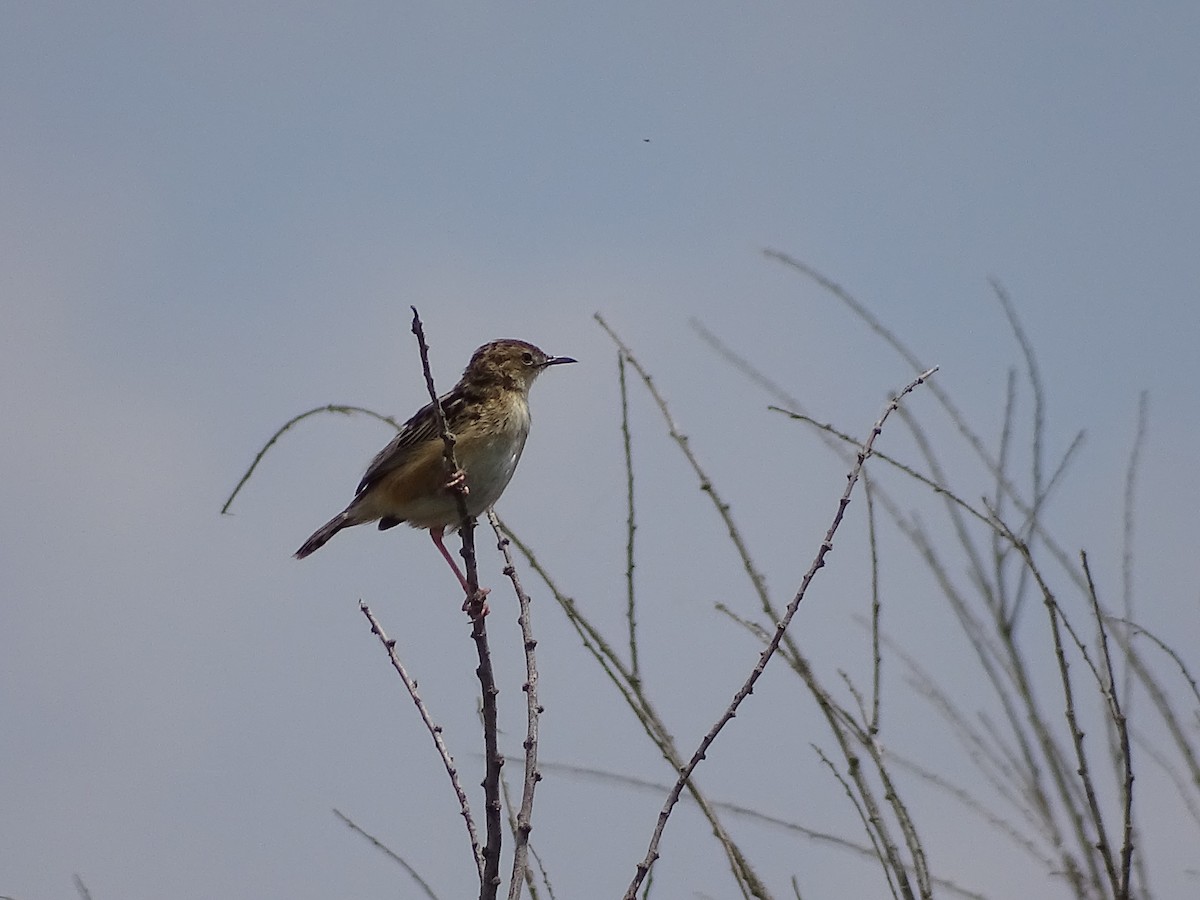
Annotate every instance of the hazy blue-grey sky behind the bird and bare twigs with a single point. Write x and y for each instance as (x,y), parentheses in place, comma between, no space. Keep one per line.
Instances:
(215,217)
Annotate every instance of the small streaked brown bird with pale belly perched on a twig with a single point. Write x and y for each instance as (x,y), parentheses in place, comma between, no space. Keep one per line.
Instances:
(489,415)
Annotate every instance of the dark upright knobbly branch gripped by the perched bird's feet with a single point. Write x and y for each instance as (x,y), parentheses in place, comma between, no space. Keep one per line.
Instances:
(490,881)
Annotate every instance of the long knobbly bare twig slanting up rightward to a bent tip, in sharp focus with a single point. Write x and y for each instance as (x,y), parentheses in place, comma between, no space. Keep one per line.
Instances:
(652,854)
